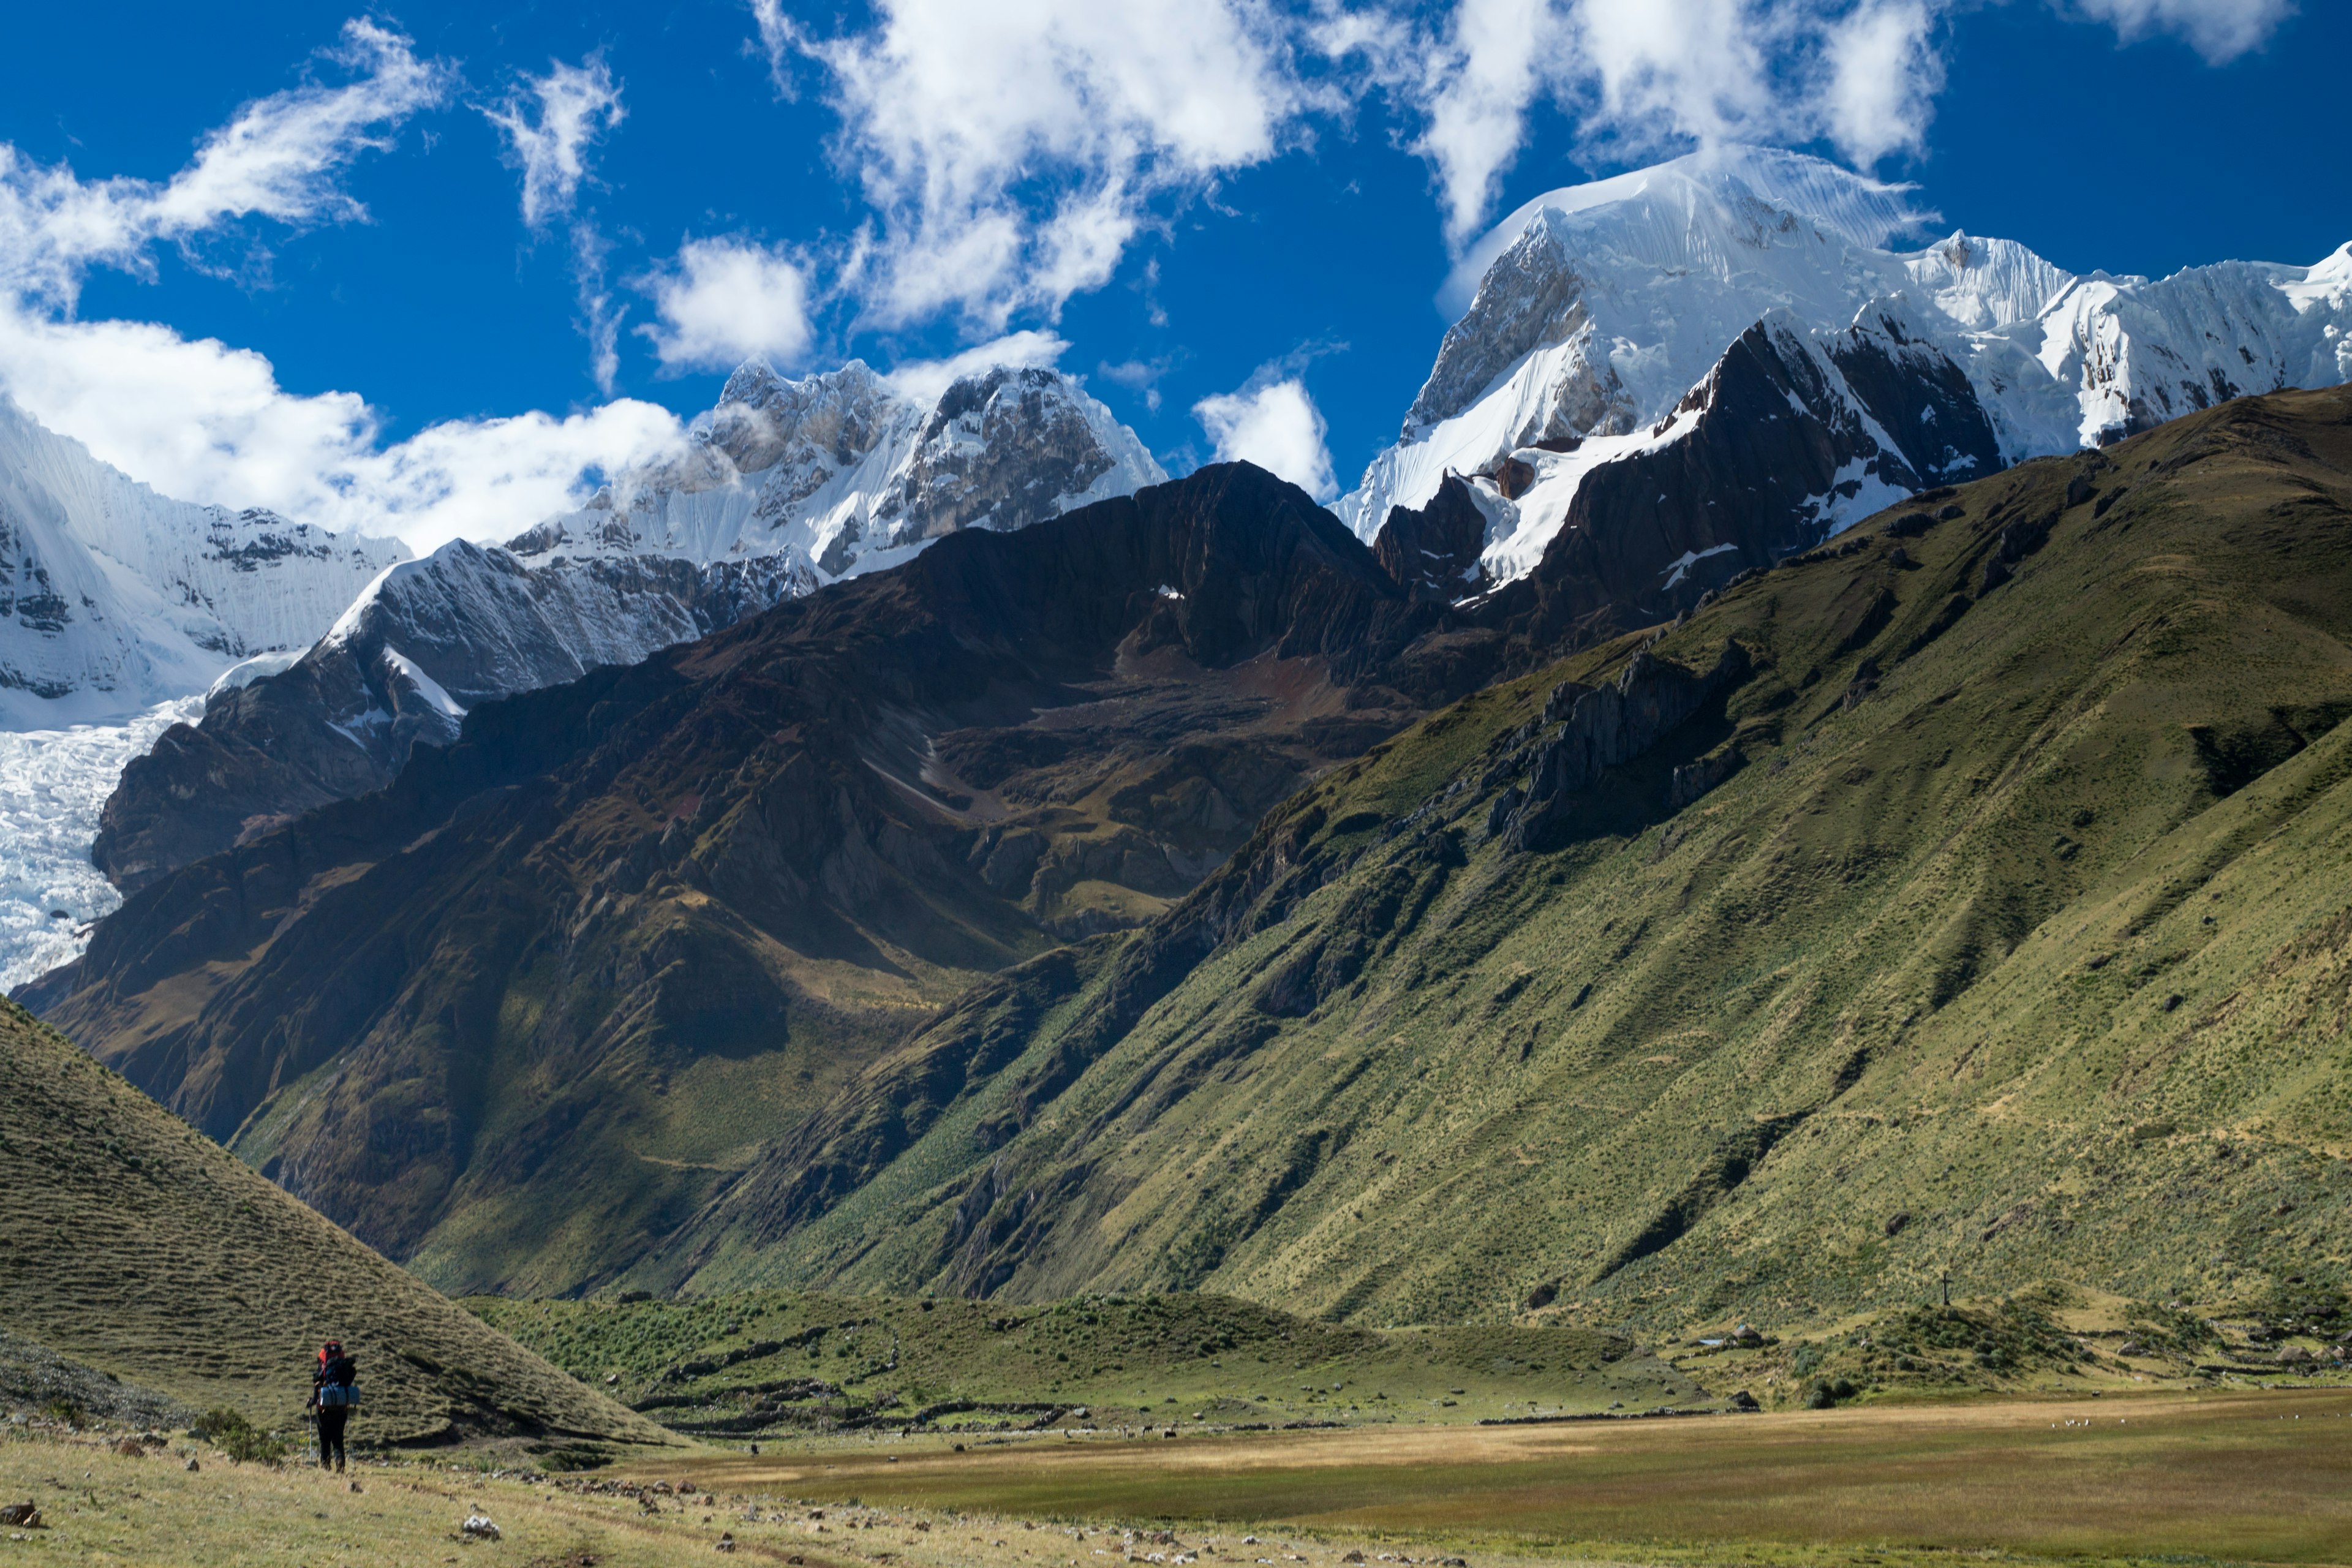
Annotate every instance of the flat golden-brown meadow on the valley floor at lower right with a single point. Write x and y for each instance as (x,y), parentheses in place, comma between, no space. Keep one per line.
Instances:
(2259,1475)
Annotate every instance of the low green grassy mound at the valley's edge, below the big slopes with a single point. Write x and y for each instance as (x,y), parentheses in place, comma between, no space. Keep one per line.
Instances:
(763,1362)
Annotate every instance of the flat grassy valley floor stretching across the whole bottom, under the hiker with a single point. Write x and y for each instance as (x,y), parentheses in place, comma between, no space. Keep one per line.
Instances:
(2236,1477)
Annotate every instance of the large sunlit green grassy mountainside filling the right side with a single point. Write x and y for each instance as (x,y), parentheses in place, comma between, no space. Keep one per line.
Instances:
(2010,942)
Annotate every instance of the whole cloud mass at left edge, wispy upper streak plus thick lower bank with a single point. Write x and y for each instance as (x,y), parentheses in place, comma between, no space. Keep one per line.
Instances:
(208,422)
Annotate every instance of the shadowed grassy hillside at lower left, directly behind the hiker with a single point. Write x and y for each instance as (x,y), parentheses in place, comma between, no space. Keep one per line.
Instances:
(138,1247)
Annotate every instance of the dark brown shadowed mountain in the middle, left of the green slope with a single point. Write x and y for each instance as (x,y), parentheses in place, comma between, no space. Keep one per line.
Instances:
(521,1014)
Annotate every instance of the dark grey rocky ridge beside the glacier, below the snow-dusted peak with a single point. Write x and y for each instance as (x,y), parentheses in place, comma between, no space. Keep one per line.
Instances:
(436,638)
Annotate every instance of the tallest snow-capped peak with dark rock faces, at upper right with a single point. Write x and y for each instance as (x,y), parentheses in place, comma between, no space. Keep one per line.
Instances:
(1603,319)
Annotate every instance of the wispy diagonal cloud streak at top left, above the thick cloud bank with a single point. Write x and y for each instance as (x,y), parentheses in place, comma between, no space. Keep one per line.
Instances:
(279,159)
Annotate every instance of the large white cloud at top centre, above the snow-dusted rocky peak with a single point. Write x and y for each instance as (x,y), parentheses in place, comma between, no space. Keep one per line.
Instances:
(1015,149)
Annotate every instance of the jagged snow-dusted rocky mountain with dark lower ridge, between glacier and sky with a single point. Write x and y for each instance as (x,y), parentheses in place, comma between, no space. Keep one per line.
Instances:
(784,485)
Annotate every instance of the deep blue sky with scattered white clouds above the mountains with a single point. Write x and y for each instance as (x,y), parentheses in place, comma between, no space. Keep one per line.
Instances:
(1189,199)
